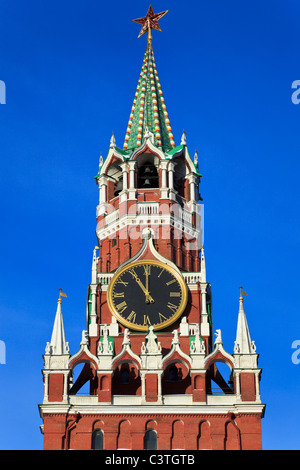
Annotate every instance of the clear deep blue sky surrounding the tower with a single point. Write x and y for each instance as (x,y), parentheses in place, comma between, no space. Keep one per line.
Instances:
(226,70)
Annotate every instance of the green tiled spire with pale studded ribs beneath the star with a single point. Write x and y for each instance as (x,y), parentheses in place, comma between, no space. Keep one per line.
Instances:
(149,109)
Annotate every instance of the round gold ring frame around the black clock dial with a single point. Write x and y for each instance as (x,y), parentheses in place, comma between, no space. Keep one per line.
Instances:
(159,326)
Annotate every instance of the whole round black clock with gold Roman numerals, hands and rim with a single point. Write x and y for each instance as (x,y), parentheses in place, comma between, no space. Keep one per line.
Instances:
(147,293)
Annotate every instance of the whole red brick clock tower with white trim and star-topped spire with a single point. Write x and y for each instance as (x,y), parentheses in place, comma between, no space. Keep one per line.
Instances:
(149,353)
